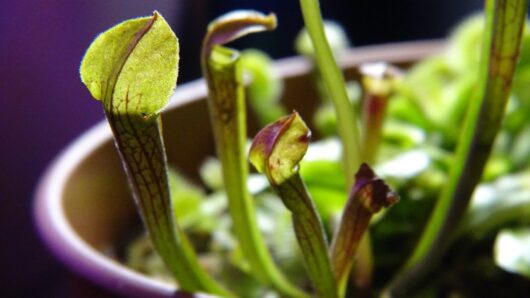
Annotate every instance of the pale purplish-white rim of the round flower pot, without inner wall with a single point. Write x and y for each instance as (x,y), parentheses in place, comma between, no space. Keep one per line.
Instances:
(80,257)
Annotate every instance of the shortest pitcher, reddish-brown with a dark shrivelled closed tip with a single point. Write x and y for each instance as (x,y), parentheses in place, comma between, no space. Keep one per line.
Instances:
(368,196)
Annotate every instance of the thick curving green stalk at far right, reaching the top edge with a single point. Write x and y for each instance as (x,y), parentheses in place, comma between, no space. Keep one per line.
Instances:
(504,25)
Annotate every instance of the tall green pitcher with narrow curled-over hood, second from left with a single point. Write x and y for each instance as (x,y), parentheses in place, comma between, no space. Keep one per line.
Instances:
(226,102)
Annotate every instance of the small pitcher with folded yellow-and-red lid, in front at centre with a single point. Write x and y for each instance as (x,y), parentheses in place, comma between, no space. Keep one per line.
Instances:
(276,151)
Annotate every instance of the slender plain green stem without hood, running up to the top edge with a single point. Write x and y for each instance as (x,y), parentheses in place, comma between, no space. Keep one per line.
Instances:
(334,82)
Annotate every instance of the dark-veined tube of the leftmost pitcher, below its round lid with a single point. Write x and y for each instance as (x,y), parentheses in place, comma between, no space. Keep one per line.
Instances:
(142,151)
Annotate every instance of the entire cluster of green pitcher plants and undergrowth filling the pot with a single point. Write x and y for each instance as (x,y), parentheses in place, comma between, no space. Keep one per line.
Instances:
(132,69)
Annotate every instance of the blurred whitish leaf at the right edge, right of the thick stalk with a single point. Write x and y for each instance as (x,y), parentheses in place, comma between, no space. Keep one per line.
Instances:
(512,251)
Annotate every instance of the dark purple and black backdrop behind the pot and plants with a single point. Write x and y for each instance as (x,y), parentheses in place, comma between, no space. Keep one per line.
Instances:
(44,105)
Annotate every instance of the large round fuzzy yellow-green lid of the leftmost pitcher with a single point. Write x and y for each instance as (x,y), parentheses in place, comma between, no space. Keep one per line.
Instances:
(134,63)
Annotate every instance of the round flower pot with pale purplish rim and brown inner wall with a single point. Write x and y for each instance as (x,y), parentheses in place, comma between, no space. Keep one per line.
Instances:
(83,208)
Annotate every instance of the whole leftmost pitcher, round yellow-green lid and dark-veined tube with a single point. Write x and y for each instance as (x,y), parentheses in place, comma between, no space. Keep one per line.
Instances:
(123,69)
